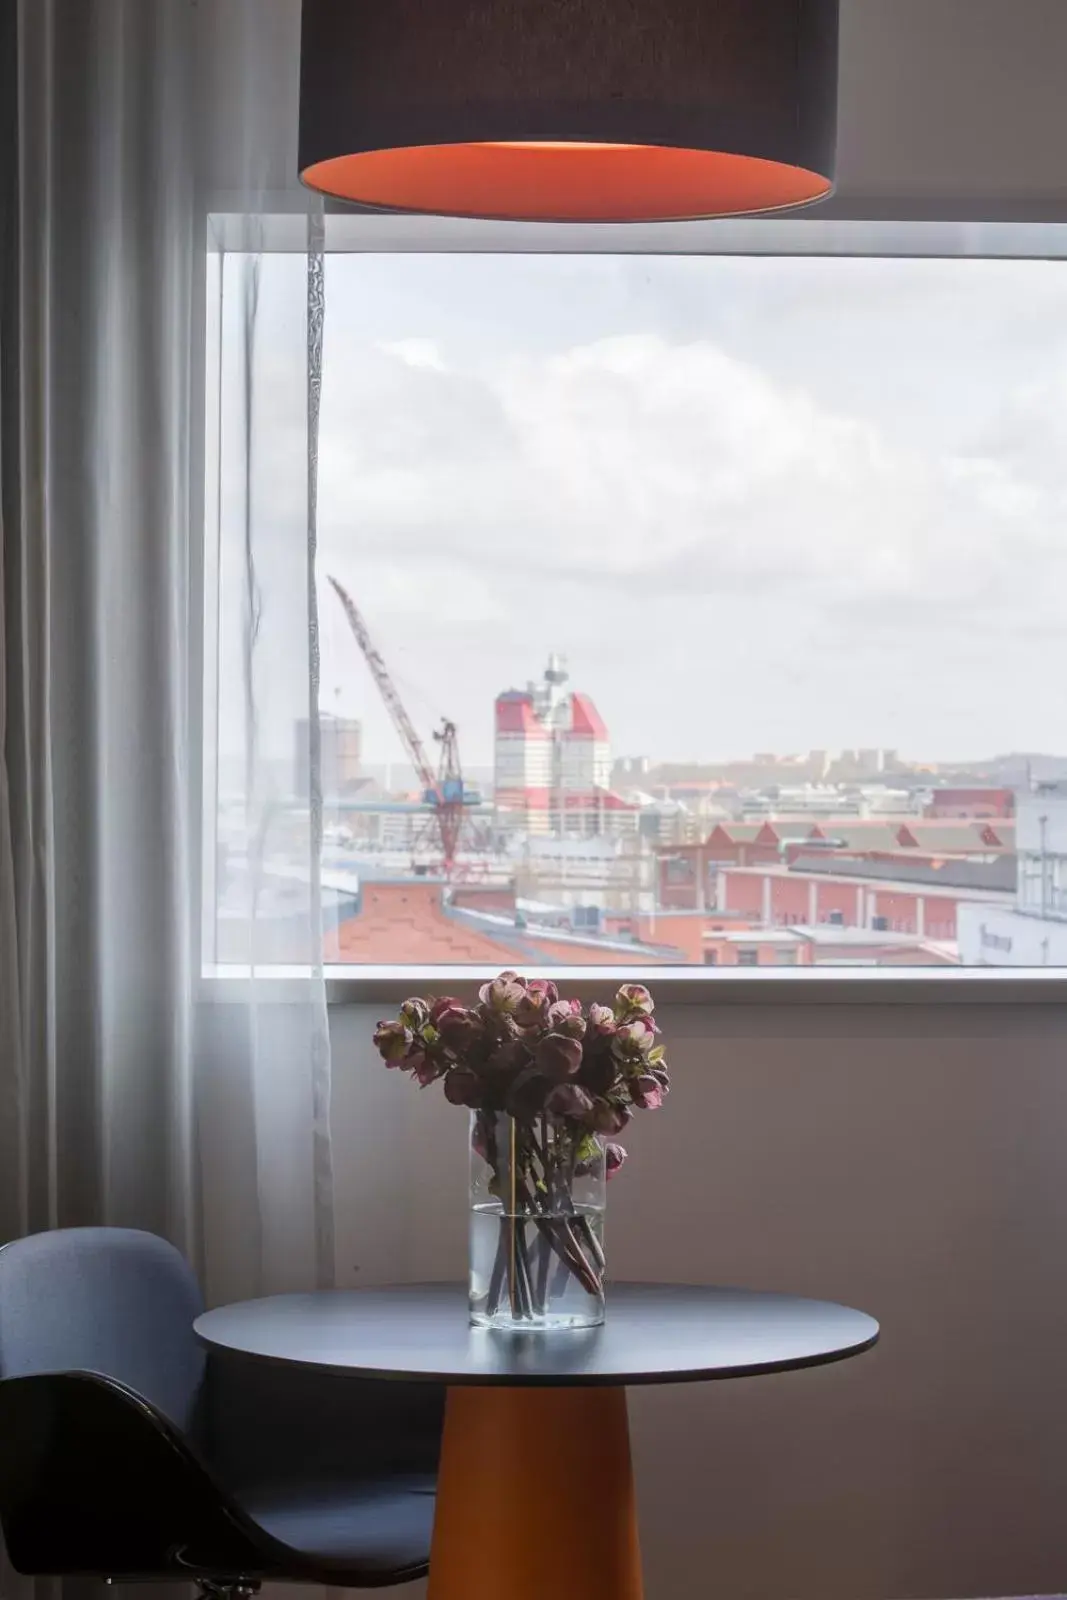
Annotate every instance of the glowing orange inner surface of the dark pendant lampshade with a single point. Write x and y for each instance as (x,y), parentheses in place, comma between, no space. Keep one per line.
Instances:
(565,183)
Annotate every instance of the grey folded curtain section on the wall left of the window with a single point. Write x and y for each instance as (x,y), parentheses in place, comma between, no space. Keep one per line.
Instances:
(95,874)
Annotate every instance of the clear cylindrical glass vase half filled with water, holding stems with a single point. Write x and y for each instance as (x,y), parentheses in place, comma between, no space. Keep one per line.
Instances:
(537,1223)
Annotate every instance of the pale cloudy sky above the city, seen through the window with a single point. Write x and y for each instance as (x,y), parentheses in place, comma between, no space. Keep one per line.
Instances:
(759,505)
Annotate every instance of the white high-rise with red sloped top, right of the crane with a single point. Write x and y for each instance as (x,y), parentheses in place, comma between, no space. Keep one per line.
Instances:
(553,769)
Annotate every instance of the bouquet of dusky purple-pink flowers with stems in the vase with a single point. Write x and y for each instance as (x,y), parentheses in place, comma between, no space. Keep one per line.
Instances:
(564,1081)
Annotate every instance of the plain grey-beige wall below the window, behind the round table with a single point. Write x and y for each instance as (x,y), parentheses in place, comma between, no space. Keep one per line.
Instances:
(908,1161)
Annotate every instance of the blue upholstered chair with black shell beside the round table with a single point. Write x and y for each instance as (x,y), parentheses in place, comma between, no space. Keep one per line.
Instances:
(127,1452)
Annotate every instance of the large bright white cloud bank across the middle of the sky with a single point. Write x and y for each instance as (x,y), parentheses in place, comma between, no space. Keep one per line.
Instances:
(669,465)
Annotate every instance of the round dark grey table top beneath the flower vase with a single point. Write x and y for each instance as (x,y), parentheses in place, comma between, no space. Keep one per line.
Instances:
(653,1335)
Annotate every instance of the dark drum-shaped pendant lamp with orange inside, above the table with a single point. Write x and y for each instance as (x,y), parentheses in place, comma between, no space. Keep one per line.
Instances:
(572,111)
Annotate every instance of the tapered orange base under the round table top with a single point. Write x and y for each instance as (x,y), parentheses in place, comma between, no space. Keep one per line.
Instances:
(535,1497)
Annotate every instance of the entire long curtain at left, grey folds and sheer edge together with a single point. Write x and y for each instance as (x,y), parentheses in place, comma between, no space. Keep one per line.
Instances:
(129,1092)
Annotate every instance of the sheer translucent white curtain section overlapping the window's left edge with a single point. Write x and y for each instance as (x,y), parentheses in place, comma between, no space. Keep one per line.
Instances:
(263,806)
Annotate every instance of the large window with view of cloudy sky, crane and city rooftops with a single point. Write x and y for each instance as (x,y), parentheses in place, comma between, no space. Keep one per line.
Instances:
(735,575)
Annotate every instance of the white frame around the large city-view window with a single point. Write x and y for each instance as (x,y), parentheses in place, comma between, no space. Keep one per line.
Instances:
(281,226)
